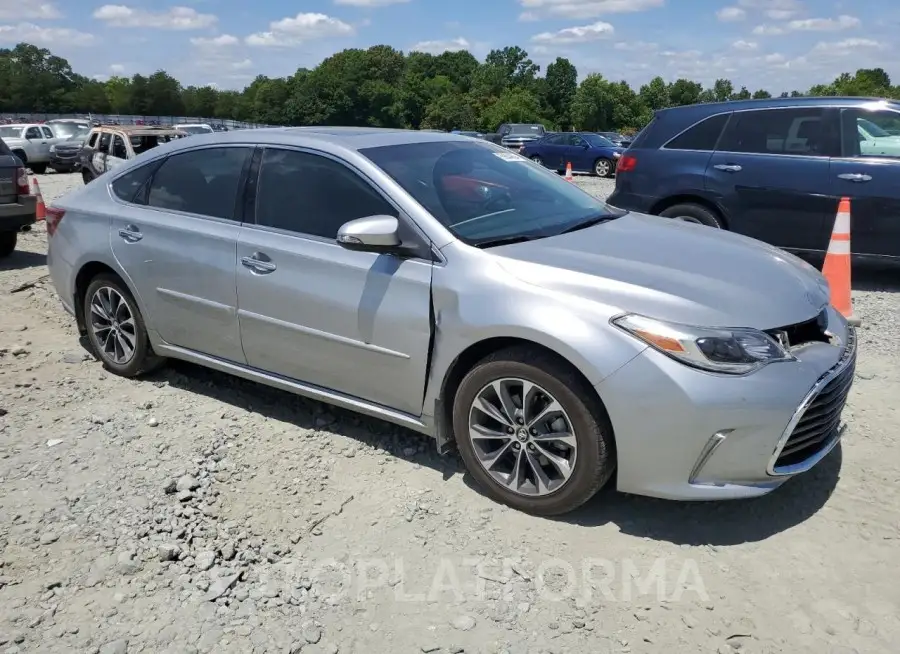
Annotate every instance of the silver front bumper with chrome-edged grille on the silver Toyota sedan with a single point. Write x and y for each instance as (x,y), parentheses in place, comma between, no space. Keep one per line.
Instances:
(689,435)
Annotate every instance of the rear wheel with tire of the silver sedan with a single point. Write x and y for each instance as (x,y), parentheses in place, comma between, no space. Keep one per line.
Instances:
(115,328)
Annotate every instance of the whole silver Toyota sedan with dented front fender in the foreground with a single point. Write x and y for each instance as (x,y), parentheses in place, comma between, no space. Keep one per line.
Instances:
(453,287)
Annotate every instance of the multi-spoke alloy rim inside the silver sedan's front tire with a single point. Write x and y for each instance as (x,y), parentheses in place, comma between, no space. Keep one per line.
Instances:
(522,437)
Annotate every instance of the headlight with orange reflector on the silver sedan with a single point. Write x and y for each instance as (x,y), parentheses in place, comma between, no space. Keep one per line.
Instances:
(735,351)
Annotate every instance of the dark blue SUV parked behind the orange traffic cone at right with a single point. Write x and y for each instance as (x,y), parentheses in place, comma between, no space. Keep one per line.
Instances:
(772,169)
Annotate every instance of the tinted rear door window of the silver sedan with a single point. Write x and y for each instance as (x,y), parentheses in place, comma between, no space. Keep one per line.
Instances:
(204,182)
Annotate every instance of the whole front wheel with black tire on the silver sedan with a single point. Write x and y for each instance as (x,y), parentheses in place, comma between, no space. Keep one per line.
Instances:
(532,433)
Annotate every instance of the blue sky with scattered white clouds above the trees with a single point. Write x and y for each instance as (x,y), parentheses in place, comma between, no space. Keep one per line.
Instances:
(773,44)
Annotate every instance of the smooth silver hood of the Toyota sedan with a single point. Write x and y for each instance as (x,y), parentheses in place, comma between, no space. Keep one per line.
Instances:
(675,271)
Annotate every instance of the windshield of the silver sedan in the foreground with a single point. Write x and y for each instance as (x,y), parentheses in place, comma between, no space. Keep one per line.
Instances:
(485,194)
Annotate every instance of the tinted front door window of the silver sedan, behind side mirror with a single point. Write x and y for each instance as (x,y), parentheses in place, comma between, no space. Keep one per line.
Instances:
(310,194)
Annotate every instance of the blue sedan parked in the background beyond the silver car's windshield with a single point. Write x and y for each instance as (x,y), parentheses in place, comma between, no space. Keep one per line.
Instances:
(587,152)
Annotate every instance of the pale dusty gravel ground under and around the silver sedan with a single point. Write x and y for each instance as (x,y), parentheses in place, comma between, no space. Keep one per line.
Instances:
(193,512)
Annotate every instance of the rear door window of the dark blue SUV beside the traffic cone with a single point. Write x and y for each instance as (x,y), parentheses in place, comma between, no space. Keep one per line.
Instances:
(796,131)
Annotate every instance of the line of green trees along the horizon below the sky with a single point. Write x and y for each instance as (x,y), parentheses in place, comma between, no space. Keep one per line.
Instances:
(384,87)
